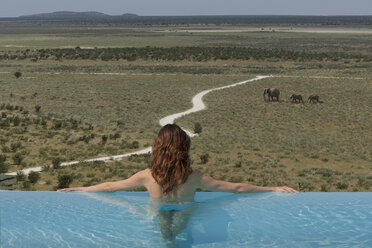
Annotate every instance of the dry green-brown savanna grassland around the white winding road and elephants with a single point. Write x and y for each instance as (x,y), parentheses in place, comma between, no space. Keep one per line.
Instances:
(312,147)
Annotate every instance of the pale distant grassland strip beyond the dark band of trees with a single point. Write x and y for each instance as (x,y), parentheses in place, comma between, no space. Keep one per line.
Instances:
(22,38)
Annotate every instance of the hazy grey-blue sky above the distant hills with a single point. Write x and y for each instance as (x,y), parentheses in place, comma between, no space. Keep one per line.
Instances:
(12,8)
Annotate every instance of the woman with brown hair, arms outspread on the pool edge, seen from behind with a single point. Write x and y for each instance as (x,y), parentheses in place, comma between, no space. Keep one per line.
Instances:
(171,176)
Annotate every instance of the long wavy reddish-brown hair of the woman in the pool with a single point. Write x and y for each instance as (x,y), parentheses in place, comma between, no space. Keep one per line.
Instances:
(170,165)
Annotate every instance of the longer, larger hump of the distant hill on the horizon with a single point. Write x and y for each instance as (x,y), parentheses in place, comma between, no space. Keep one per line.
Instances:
(66,15)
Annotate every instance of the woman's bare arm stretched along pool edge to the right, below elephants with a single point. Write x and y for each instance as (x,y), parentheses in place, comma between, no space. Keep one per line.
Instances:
(208,183)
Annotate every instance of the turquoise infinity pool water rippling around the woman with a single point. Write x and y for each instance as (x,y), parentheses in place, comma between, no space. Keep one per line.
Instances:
(56,219)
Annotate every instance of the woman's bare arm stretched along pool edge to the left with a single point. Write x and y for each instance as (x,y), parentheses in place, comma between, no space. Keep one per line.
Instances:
(135,181)
